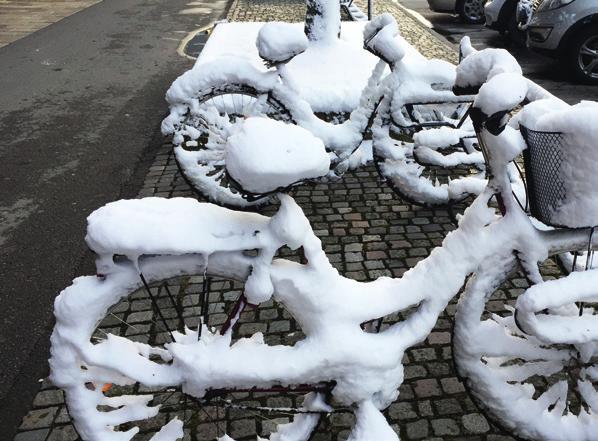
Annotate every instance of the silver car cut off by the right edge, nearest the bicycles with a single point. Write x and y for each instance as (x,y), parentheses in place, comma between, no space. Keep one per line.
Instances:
(566,29)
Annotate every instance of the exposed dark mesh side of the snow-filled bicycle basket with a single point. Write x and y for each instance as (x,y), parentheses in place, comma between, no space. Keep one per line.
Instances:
(543,160)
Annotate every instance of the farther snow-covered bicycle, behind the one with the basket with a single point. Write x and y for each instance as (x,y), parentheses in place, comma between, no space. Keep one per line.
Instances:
(209,103)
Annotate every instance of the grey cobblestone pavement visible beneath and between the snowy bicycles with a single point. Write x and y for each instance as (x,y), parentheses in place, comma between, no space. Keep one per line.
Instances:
(367,232)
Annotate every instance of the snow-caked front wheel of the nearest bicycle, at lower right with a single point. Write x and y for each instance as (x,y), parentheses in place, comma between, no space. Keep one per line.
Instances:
(537,389)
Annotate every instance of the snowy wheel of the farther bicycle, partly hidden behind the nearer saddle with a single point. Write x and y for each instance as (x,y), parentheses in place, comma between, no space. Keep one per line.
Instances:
(200,140)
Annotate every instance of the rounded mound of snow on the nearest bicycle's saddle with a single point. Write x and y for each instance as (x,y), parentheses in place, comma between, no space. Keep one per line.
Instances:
(265,155)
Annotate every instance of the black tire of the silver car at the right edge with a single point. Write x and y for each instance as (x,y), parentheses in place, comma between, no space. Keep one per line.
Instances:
(582,55)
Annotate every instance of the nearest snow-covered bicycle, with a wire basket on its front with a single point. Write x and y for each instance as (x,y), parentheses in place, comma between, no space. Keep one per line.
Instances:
(111,380)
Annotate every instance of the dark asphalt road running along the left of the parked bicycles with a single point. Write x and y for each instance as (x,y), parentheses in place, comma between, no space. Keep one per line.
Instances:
(80,105)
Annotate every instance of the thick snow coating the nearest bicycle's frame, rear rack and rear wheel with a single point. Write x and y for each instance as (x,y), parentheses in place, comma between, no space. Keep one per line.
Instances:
(328,307)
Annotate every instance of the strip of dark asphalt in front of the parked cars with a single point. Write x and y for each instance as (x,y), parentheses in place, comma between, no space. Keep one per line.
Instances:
(543,70)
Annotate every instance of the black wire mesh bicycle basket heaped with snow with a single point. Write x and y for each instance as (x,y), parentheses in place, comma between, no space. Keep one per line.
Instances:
(550,194)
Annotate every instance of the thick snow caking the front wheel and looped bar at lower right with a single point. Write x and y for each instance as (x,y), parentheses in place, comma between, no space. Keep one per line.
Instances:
(502,373)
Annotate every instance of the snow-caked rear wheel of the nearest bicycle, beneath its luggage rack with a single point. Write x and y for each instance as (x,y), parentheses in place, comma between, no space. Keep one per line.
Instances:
(110,355)
